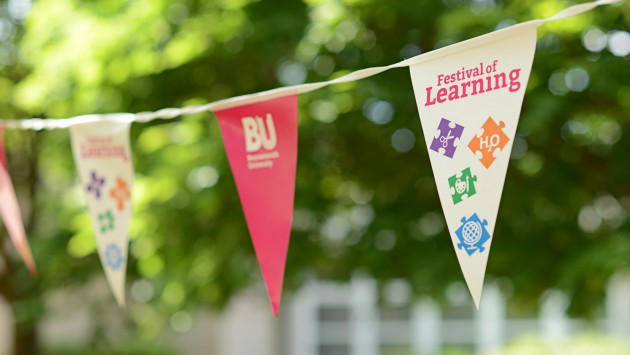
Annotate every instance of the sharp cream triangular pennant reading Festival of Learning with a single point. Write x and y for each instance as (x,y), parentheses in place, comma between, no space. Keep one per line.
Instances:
(469,97)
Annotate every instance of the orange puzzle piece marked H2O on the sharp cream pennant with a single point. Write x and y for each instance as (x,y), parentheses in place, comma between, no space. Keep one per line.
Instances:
(489,142)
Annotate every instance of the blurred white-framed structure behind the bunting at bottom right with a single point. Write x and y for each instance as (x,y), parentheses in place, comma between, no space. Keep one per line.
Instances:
(348,319)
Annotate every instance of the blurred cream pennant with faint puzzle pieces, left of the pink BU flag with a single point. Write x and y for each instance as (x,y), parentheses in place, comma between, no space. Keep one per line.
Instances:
(103,160)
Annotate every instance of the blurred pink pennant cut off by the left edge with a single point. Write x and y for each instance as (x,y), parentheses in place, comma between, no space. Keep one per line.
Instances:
(10,212)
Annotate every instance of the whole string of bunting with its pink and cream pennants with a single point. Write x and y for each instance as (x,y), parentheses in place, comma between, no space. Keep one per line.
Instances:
(469,97)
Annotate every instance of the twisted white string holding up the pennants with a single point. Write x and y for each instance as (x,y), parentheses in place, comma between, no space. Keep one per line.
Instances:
(170,113)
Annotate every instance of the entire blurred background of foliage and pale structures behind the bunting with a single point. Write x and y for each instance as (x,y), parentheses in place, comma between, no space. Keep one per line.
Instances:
(371,269)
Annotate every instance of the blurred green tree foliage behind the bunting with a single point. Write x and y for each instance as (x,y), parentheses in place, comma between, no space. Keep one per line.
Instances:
(365,195)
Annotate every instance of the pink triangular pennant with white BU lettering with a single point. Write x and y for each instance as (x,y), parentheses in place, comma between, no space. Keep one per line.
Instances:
(261,144)
